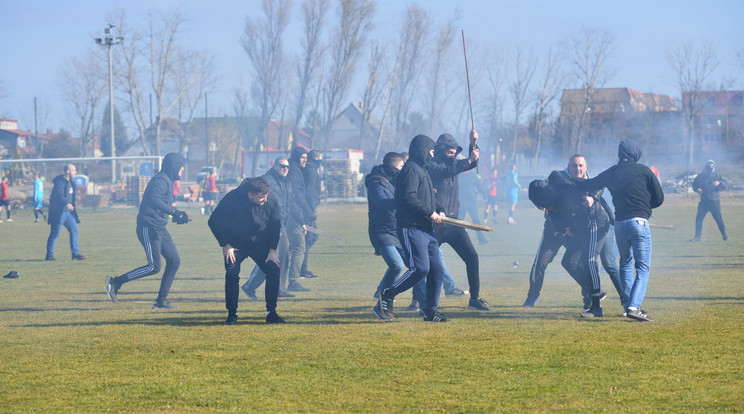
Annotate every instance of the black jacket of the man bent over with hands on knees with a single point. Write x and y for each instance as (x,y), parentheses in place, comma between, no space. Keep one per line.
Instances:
(245,225)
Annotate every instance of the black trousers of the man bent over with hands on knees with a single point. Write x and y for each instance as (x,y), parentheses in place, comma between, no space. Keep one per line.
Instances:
(232,279)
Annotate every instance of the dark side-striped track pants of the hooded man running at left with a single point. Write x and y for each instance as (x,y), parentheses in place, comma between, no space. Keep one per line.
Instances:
(156,242)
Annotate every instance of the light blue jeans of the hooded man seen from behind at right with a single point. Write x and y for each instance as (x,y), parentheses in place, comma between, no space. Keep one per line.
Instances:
(633,238)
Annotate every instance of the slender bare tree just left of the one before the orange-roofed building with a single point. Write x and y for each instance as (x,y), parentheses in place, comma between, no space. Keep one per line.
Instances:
(552,84)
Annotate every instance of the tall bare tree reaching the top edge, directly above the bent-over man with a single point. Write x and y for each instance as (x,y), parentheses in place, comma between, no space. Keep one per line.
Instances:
(262,41)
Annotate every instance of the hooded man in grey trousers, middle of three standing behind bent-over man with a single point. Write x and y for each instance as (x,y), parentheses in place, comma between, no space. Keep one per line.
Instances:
(296,230)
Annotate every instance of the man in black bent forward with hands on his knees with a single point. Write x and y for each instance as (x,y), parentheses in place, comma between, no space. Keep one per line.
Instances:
(246,223)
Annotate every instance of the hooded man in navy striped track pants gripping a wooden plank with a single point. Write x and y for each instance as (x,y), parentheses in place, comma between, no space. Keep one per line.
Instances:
(416,212)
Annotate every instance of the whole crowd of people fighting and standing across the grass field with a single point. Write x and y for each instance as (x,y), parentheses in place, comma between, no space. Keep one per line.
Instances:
(410,197)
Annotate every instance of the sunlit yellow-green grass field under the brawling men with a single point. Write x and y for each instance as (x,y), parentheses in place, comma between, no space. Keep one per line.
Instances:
(64,347)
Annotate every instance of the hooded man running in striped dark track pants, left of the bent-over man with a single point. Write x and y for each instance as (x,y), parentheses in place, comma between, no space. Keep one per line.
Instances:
(156,206)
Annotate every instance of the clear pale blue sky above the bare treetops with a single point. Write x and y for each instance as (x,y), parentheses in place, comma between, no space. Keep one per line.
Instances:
(38,35)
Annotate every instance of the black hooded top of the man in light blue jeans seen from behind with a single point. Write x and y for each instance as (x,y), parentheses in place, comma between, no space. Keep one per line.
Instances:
(634,188)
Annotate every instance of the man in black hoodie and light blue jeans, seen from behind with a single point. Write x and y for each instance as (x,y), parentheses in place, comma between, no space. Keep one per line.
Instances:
(635,192)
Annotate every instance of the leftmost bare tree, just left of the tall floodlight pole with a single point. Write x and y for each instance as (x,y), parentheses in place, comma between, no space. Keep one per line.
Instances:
(83,88)
